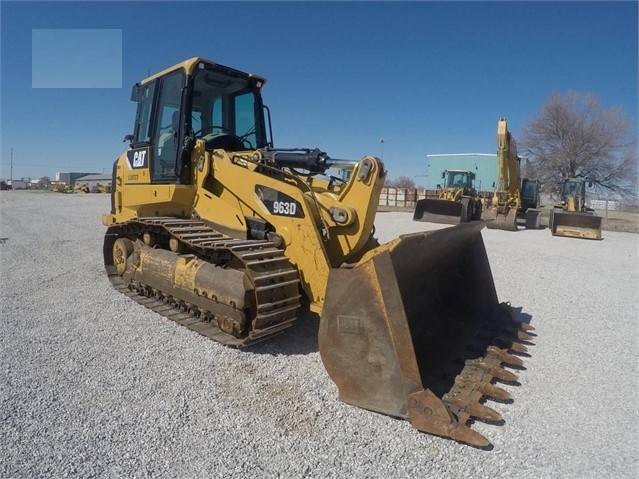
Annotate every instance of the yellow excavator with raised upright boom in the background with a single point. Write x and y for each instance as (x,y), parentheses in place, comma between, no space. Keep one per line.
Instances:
(515,196)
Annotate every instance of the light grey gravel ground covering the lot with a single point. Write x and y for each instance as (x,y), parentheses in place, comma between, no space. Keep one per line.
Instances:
(95,385)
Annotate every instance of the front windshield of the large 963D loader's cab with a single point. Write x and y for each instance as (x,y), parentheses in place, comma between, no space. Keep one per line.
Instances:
(226,111)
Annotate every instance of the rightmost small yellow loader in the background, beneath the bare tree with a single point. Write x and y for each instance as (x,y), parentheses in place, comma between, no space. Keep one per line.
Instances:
(572,217)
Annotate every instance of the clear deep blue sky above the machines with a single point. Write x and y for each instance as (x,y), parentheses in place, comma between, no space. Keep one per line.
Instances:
(427,77)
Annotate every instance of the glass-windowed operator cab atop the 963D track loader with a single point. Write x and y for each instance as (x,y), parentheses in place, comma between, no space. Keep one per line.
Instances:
(196,100)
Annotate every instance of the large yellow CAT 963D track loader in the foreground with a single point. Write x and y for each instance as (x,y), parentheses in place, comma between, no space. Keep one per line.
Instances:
(214,228)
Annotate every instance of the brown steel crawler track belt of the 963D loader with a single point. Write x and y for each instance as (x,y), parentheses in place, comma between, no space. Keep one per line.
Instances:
(267,266)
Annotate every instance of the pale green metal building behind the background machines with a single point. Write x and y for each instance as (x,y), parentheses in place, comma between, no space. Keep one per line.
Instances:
(484,165)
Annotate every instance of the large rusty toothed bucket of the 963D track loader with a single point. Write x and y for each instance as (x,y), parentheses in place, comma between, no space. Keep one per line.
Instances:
(415,331)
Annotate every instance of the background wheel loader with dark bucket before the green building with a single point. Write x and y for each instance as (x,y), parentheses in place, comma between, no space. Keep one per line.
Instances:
(458,201)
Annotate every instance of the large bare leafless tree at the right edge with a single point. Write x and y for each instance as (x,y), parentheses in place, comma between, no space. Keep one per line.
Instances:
(573,136)
